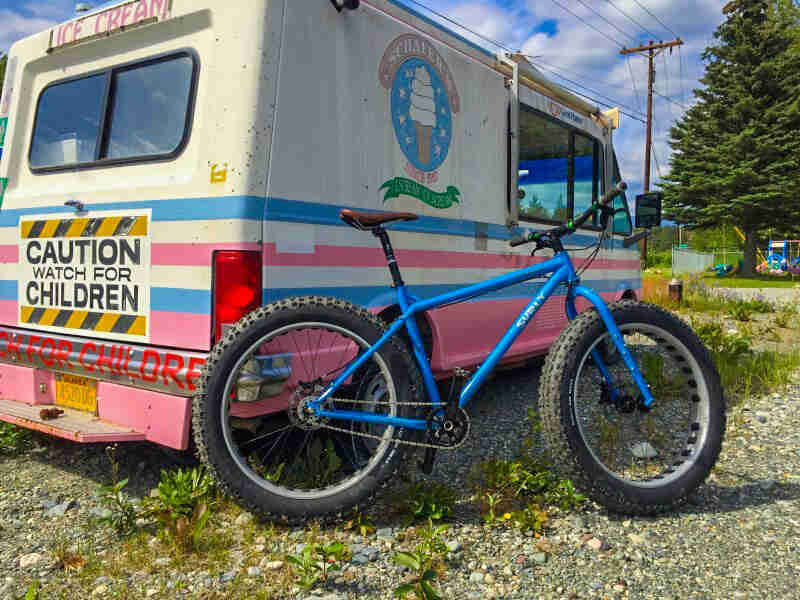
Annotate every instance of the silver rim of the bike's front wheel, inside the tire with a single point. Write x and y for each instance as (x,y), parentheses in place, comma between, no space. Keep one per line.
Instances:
(652,448)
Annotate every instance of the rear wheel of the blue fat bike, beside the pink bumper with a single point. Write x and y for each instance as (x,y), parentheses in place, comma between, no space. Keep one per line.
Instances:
(252,422)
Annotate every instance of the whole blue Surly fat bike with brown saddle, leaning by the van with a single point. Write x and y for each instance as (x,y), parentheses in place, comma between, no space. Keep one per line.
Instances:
(310,405)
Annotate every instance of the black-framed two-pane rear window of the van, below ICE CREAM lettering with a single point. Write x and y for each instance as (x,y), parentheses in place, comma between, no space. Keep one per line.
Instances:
(125,114)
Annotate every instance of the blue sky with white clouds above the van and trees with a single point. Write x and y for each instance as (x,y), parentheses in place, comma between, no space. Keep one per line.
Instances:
(564,44)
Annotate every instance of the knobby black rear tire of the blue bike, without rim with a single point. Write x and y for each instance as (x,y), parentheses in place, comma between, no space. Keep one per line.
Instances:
(207,425)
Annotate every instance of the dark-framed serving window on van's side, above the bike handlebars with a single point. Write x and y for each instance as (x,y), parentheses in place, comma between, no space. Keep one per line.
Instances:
(560,170)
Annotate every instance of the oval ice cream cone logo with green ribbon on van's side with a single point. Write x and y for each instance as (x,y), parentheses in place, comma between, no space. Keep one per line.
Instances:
(423,102)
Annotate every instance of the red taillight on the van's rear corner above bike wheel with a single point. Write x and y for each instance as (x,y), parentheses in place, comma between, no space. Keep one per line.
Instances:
(237,287)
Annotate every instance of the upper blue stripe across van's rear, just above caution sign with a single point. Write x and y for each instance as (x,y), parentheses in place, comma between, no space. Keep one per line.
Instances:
(181,209)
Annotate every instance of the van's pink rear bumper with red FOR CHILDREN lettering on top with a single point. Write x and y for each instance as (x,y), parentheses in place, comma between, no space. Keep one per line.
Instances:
(143,393)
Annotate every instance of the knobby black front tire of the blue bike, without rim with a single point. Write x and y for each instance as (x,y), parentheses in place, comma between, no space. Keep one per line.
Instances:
(568,449)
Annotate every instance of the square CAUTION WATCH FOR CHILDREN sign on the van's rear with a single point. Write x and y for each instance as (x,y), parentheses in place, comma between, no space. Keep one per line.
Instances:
(86,276)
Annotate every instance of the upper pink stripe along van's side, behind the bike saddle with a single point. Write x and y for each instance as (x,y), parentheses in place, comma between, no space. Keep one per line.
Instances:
(356,256)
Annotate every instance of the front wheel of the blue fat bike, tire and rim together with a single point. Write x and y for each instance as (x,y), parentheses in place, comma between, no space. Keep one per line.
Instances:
(631,459)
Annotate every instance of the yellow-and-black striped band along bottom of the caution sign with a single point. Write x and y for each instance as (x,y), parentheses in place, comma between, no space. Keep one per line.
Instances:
(84,320)
